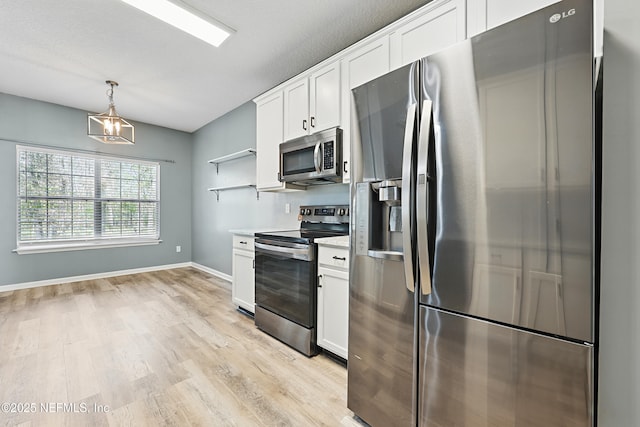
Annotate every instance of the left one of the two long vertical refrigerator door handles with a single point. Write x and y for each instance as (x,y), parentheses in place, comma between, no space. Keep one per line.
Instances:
(407,190)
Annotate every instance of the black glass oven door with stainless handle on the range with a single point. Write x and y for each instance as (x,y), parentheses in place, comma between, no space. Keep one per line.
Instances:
(286,280)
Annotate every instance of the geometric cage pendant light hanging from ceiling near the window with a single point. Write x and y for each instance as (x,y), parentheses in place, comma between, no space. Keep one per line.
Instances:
(109,127)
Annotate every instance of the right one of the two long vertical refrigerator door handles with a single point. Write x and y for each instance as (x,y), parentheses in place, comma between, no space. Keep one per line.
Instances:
(422,197)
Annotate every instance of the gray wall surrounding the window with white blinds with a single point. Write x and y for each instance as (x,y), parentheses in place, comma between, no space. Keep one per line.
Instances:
(24,119)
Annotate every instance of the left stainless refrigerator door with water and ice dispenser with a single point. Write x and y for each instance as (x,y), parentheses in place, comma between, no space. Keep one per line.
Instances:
(381,372)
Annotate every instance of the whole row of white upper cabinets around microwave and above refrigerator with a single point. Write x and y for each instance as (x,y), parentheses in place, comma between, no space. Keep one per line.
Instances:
(320,97)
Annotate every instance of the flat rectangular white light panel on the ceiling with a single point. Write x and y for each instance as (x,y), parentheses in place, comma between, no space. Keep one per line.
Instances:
(185,18)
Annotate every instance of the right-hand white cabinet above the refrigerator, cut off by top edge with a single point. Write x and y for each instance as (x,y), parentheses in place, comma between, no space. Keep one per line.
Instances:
(487,14)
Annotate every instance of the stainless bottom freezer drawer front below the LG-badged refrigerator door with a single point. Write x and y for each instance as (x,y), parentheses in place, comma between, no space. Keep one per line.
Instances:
(475,373)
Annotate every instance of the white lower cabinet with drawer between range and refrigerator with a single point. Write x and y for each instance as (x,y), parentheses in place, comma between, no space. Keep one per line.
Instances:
(333,299)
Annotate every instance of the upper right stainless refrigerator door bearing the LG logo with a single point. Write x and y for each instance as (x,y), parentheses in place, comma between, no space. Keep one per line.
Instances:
(513,127)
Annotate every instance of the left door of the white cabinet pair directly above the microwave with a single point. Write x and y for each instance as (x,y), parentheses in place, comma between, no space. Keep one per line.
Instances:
(296,109)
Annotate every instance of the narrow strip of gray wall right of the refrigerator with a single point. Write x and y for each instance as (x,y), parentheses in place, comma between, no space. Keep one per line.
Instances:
(620,300)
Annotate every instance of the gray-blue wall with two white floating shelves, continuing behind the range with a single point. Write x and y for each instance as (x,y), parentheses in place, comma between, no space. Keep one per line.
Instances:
(239,209)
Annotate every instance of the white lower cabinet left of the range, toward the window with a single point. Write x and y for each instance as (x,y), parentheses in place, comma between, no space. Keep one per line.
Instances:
(243,284)
